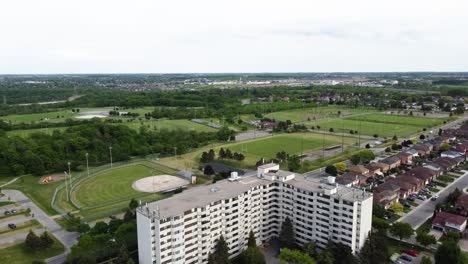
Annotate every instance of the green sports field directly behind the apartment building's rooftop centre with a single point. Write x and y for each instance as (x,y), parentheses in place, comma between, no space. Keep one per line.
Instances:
(291,143)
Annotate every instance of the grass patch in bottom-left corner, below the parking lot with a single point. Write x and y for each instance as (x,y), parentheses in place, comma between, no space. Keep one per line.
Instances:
(20,254)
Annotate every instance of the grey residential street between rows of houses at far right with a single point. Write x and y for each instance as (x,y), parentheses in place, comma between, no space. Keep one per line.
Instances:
(425,210)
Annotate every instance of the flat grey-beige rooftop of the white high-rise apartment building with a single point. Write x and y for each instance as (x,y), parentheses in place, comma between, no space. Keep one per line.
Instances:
(201,196)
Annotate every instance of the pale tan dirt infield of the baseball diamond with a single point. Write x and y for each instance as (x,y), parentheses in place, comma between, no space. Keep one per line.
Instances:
(159,183)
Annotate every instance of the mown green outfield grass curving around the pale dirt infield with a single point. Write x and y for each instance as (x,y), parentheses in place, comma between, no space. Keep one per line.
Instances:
(115,184)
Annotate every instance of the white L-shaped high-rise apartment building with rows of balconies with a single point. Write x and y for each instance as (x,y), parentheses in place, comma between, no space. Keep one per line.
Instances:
(185,227)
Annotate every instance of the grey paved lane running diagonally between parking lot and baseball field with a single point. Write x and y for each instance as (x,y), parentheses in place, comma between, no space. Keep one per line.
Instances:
(67,238)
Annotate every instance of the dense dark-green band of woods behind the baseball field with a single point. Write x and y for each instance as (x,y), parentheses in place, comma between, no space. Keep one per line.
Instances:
(40,153)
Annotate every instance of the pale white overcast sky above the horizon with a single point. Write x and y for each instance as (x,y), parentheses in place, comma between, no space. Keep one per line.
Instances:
(139,36)
